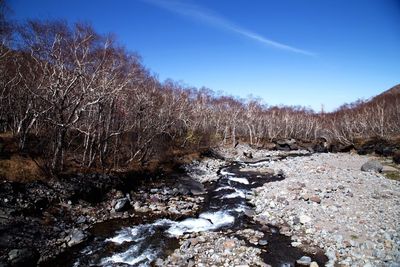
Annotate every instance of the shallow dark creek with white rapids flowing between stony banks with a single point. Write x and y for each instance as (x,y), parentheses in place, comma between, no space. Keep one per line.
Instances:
(226,206)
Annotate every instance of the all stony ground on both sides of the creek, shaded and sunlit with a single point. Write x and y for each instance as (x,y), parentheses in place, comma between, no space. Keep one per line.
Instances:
(325,202)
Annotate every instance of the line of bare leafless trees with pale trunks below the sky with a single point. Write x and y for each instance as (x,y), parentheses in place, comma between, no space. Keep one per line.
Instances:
(80,97)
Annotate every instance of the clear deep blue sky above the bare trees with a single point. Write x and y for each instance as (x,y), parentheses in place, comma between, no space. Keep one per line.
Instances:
(291,52)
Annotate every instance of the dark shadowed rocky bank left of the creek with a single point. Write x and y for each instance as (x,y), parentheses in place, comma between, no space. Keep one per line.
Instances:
(39,220)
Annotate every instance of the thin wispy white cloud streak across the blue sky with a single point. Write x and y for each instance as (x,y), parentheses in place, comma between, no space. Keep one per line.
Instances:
(215,20)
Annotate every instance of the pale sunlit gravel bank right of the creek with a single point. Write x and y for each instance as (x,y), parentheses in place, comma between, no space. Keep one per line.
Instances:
(328,202)
